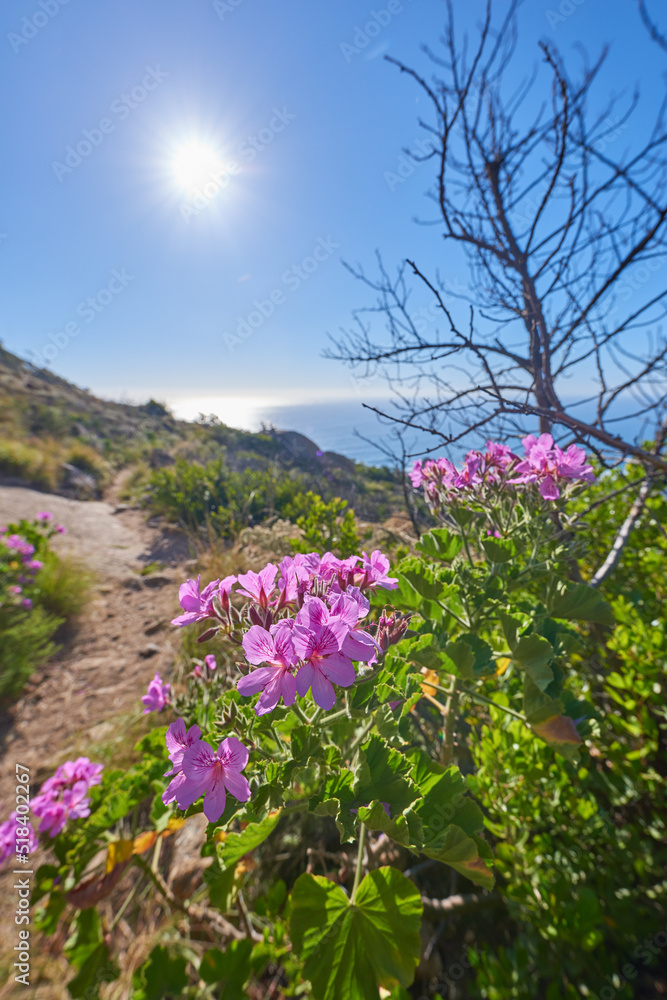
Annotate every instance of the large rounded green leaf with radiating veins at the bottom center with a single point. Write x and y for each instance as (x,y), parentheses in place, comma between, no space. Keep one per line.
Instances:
(350,950)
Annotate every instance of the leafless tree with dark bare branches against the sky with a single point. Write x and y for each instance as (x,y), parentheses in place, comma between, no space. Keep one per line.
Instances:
(562,228)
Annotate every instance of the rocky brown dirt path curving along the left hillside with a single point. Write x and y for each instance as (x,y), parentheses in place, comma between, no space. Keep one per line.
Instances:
(123,636)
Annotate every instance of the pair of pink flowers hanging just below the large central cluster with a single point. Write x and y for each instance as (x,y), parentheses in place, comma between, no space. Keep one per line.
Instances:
(197,769)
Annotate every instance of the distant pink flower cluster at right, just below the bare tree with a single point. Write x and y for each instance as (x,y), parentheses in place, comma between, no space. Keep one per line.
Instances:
(544,464)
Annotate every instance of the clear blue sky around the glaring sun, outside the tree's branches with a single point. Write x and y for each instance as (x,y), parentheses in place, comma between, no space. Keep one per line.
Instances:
(308,129)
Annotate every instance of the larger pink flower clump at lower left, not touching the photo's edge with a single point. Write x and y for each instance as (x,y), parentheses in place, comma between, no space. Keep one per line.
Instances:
(65,796)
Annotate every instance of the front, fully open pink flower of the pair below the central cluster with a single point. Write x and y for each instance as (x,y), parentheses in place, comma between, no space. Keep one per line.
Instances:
(213,774)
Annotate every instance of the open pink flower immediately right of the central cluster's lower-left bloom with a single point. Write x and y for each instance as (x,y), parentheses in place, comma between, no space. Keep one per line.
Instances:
(324,662)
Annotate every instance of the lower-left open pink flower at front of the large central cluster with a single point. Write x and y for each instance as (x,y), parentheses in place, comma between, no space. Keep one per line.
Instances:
(275,680)
